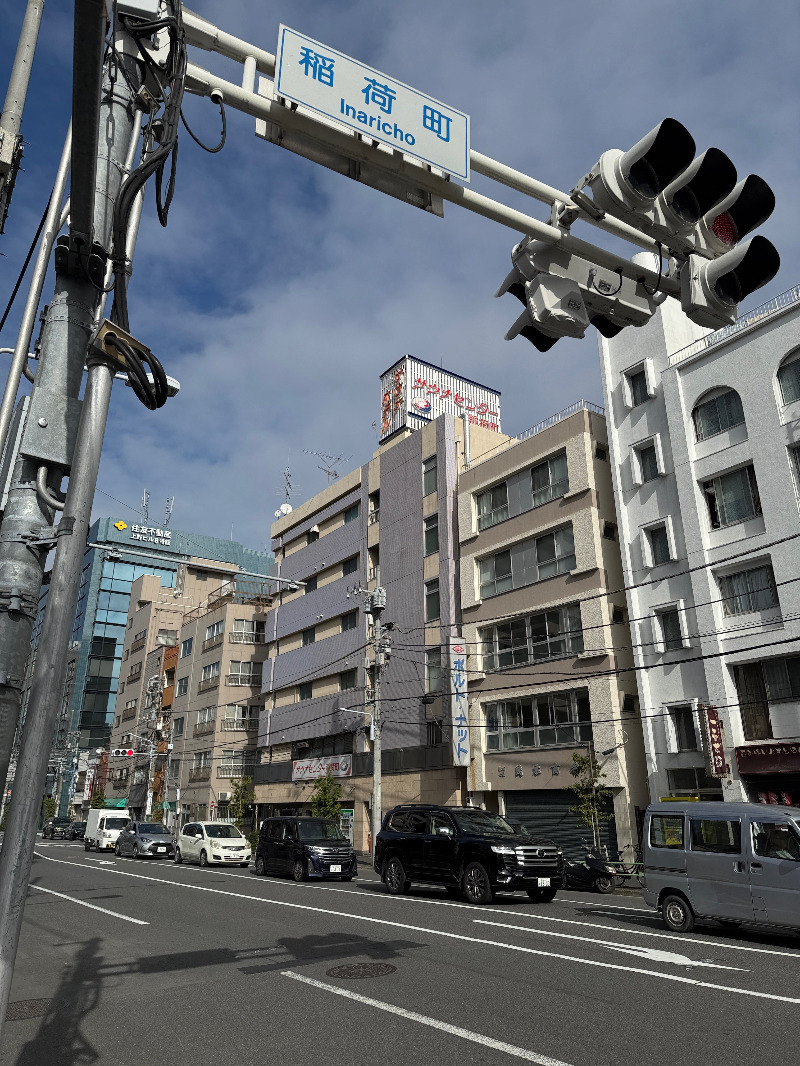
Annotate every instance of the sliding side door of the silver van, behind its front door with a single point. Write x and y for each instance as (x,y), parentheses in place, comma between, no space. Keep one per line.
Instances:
(718,868)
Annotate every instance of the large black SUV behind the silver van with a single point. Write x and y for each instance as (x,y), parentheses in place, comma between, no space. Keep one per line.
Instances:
(470,851)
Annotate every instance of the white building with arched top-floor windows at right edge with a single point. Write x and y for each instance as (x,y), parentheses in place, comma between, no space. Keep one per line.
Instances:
(705,435)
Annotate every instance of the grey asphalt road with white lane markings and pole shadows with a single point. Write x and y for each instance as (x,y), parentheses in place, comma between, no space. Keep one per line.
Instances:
(132,962)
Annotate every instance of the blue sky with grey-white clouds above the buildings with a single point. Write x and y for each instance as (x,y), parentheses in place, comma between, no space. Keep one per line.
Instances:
(280,292)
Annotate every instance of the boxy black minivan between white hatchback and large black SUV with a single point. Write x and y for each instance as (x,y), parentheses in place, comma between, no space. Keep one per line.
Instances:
(302,848)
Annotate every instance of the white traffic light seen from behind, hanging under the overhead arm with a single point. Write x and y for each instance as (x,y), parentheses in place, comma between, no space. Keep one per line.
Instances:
(564,295)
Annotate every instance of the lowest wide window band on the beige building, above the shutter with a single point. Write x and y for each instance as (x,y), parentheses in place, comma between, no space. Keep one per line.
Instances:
(542,721)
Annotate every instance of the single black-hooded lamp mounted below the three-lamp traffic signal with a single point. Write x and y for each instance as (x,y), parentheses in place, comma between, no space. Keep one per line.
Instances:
(711,289)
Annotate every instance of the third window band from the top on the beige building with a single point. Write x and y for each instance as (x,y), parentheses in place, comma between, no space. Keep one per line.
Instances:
(549,635)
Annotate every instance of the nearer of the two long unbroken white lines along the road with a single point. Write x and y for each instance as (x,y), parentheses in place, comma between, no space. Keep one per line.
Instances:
(450,936)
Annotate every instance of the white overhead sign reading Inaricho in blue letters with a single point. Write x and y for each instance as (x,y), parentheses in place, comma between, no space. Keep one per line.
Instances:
(364,100)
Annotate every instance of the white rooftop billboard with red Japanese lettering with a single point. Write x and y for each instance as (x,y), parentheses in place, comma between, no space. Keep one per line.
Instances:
(414,393)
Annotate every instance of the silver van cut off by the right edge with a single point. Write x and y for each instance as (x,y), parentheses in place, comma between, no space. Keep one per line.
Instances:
(731,862)
